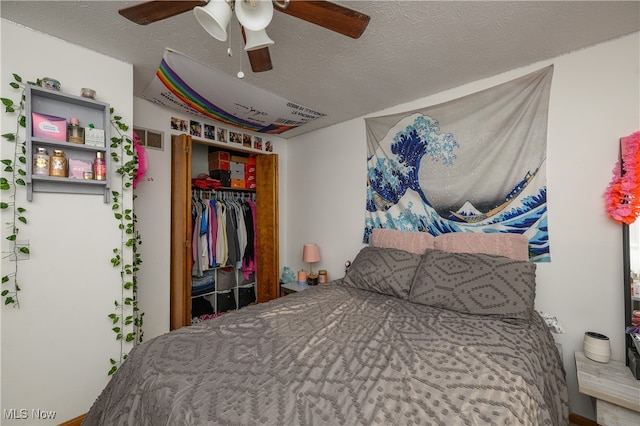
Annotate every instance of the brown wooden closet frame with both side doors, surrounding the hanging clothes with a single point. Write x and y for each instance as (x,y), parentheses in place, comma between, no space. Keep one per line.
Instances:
(267,227)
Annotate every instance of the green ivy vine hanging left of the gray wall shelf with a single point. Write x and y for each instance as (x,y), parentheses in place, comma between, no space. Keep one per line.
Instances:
(14,168)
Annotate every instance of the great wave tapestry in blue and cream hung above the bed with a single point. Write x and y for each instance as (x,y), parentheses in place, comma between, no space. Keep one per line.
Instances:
(473,164)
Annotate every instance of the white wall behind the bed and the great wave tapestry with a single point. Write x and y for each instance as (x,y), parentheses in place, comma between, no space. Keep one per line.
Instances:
(595,100)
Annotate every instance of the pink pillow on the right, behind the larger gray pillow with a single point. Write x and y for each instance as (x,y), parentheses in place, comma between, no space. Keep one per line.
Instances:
(513,246)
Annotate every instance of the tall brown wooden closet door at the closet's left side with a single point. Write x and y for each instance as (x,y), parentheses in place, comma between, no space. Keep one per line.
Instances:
(180,230)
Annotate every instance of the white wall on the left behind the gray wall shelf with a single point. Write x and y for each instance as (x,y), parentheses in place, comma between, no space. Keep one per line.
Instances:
(56,346)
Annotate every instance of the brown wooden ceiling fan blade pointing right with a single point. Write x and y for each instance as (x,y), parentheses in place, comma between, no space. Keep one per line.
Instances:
(328,15)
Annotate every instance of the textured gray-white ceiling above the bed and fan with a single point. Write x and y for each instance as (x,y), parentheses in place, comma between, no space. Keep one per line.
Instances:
(411,49)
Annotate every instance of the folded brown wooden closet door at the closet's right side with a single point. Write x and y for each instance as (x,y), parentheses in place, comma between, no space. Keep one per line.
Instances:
(268,252)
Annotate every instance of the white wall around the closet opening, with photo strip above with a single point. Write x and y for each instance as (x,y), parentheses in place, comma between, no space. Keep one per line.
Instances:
(153,203)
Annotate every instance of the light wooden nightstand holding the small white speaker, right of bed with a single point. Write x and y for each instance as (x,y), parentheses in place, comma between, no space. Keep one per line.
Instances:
(616,391)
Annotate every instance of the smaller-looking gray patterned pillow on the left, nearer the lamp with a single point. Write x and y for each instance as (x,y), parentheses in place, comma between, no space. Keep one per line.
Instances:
(383,270)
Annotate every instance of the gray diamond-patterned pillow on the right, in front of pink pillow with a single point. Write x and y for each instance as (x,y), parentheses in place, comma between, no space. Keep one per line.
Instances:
(476,283)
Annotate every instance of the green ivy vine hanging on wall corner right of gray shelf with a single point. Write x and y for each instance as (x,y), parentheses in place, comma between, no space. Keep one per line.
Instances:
(127,314)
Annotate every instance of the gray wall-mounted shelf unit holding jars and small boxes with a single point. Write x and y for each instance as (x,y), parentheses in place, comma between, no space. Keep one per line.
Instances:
(88,111)
